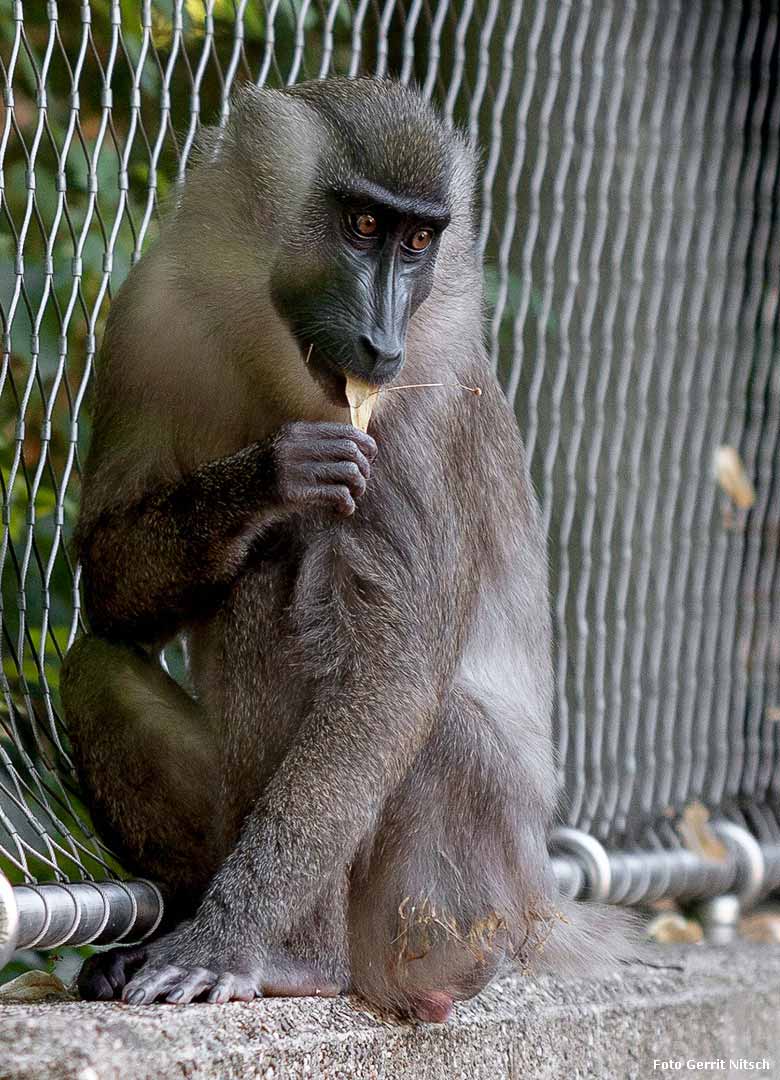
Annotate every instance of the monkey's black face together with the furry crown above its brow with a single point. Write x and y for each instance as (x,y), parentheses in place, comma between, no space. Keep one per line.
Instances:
(361,259)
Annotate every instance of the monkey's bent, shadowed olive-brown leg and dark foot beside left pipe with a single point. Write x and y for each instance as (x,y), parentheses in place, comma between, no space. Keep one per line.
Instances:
(149,767)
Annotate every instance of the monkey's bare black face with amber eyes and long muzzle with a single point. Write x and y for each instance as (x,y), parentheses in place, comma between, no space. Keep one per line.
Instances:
(349,283)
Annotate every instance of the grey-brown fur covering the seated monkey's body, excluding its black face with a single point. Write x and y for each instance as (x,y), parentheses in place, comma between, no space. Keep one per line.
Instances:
(368,762)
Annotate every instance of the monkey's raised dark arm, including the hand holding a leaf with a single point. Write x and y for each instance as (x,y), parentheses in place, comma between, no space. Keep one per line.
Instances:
(169,557)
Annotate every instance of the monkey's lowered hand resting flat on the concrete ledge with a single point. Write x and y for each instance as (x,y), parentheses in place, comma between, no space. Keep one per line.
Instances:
(181,967)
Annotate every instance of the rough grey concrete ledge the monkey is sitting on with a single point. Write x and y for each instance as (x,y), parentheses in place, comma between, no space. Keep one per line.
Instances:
(725,1006)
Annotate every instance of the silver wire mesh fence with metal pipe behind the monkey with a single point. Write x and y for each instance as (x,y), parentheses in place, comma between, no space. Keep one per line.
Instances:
(629,221)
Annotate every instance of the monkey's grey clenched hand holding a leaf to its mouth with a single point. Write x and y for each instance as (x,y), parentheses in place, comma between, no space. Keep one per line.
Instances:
(324,466)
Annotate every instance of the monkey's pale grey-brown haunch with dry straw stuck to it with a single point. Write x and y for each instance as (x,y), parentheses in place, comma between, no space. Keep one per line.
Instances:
(440,902)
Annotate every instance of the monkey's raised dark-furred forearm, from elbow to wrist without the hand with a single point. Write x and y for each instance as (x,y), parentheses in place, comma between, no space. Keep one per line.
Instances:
(152,566)
